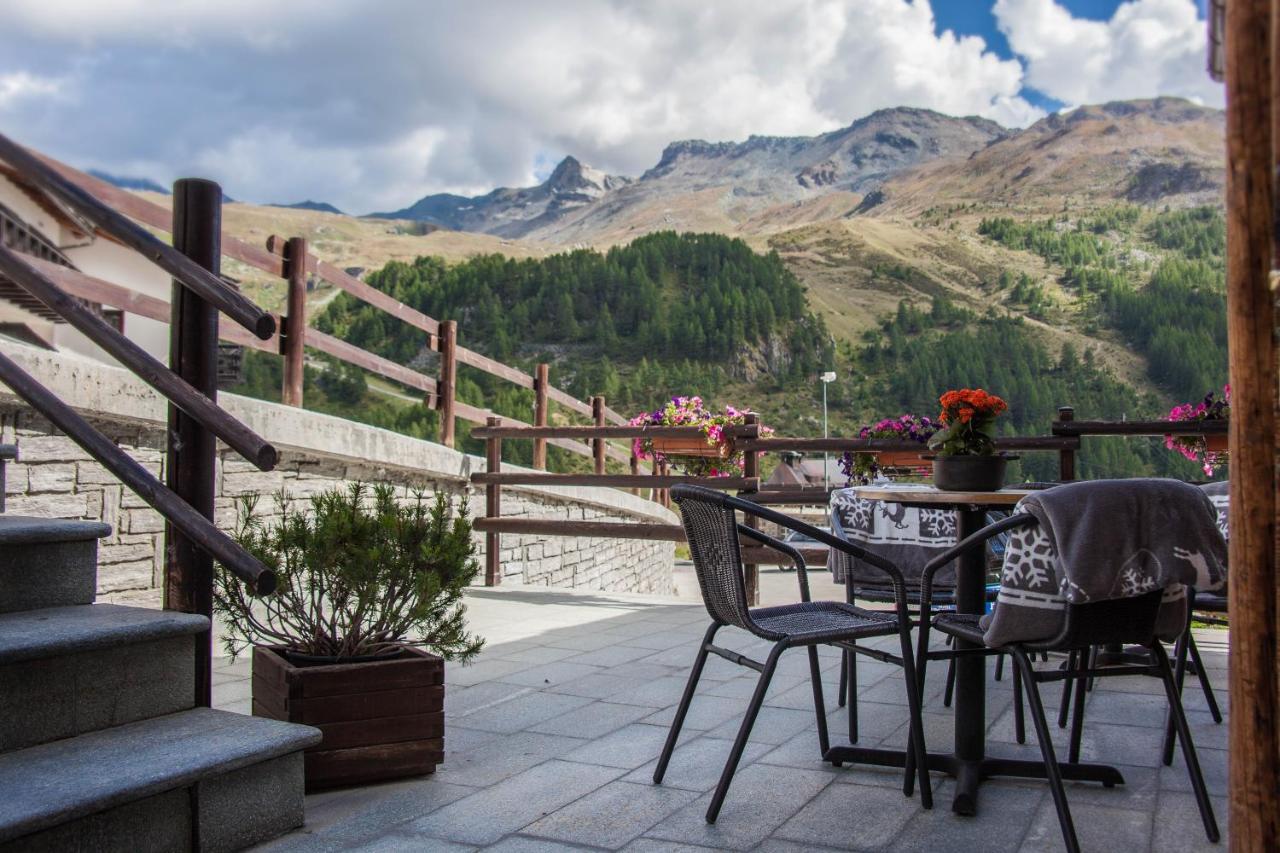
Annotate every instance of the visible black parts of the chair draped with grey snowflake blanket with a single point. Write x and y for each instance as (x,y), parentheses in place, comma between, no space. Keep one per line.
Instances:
(1122,622)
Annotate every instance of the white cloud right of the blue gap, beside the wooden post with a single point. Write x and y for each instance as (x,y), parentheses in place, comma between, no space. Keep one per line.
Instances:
(1149,48)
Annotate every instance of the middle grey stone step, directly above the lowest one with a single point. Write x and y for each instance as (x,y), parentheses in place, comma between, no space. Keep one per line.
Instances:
(66,672)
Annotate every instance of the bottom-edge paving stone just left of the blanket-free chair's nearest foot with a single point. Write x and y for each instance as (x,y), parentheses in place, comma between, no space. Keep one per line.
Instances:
(611,816)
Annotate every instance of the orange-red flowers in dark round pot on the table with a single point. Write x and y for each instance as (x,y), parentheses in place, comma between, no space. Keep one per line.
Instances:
(966,445)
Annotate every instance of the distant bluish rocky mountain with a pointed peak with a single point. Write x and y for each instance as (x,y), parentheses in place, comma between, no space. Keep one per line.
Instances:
(515,213)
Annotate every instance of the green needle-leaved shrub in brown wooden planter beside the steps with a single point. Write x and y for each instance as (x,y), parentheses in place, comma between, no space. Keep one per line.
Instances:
(355,637)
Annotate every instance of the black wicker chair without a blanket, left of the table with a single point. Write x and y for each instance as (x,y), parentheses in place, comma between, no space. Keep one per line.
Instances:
(714,531)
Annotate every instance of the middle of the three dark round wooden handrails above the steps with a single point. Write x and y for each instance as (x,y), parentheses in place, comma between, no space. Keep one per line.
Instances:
(240,437)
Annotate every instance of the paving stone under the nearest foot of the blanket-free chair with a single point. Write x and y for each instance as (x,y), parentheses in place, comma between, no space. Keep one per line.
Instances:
(761,800)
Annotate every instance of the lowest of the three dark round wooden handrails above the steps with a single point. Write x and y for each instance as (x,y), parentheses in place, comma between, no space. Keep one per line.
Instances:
(139,480)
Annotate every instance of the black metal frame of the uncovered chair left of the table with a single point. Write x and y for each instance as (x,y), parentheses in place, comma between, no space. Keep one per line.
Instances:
(740,615)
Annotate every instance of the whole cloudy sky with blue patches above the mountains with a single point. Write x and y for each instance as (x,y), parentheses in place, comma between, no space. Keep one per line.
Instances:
(373,104)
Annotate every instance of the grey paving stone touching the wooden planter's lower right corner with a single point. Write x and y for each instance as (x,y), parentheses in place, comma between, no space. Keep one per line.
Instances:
(483,759)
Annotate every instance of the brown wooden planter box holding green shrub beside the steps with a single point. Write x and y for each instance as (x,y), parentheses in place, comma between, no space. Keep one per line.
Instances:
(381,719)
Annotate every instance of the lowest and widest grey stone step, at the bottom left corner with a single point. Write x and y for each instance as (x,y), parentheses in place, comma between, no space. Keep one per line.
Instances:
(200,779)
